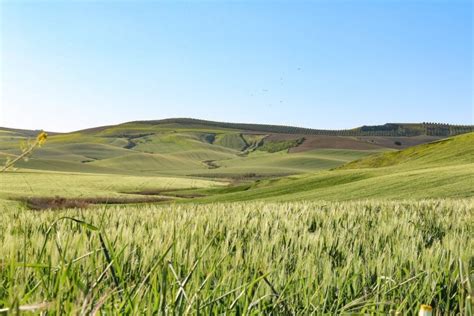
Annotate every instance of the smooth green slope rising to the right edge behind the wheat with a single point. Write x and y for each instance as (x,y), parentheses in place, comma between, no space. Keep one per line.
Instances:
(442,169)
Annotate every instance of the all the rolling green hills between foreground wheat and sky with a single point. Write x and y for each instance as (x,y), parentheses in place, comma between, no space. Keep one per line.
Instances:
(200,161)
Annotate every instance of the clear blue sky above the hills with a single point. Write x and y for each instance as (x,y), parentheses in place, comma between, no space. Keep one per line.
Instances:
(67,65)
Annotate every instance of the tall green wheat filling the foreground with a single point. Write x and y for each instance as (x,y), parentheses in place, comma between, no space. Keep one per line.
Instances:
(373,257)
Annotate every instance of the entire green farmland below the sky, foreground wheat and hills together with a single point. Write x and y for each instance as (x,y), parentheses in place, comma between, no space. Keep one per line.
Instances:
(143,218)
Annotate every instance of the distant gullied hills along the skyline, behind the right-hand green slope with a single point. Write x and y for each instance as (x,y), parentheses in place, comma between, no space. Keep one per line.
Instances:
(187,147)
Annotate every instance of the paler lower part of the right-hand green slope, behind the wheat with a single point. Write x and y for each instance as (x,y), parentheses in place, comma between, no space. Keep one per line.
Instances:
(343,185)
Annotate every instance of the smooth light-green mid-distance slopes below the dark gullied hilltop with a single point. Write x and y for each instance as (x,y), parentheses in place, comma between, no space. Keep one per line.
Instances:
(188,160)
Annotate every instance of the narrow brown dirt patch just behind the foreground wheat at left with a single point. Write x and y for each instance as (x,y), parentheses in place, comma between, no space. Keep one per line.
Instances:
(43,203)
